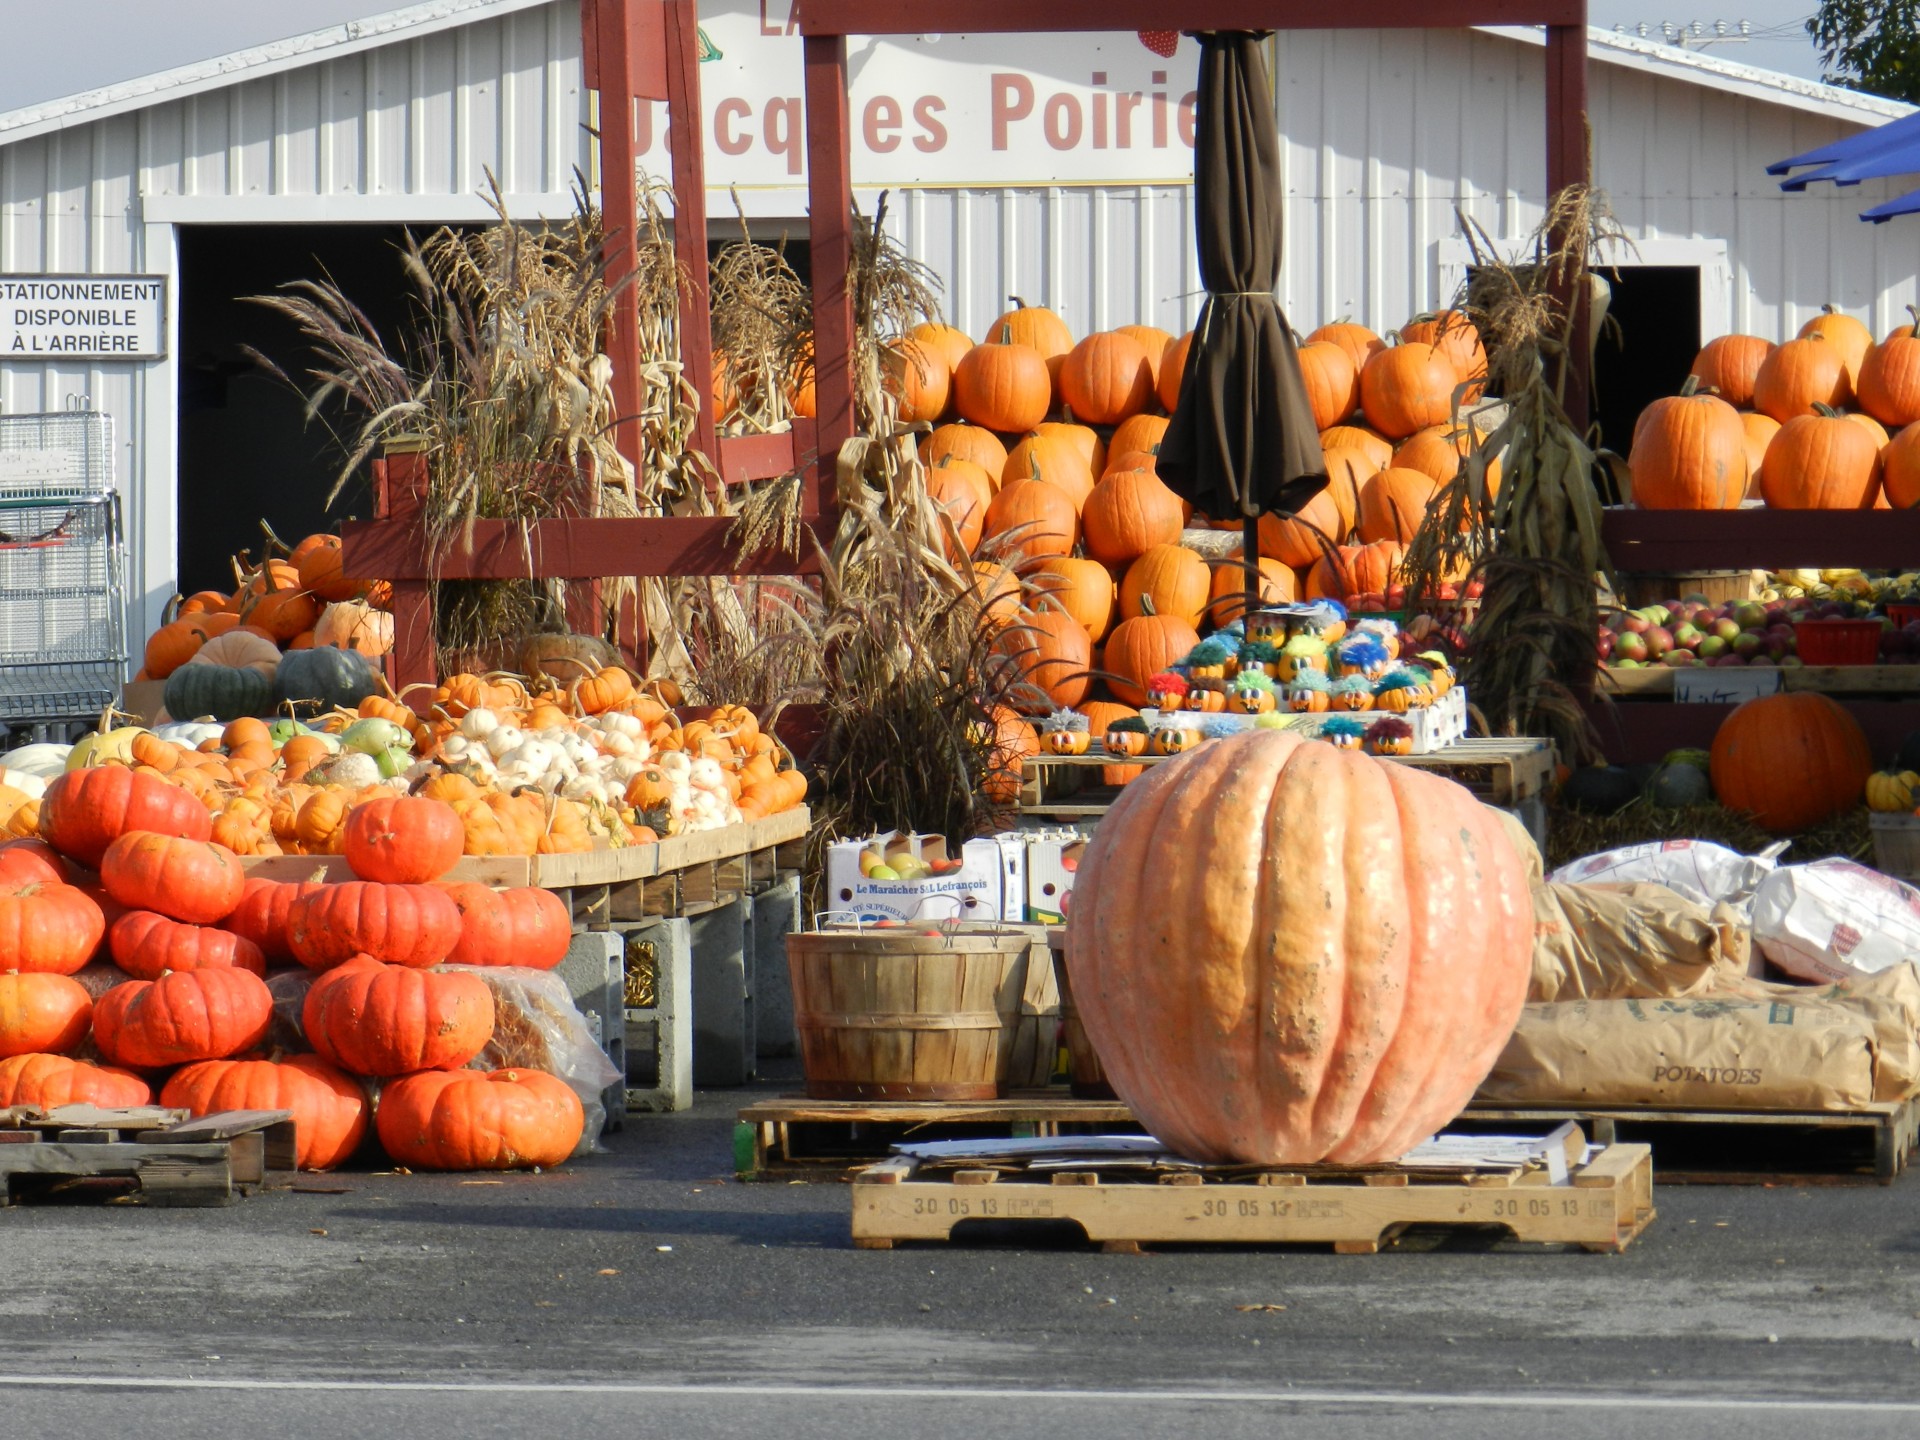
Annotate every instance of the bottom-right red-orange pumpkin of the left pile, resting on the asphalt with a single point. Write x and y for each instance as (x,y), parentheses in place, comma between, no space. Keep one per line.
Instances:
(481,1120)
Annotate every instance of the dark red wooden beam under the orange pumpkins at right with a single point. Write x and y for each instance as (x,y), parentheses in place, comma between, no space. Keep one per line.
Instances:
(1777,540)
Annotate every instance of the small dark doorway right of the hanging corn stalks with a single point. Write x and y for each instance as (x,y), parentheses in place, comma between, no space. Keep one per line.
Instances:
(1658,314)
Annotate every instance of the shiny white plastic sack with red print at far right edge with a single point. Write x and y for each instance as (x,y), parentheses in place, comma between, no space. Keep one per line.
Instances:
(1836,921)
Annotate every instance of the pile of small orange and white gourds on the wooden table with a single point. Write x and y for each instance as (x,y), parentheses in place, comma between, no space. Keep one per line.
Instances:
(600,765)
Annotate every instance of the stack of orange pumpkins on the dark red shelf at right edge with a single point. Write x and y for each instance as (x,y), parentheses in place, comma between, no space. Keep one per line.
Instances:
(1825,421)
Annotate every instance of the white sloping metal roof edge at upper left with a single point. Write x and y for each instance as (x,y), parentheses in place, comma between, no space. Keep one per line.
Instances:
(272,59)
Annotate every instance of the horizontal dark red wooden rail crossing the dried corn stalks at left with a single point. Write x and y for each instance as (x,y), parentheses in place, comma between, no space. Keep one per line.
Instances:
(577,548)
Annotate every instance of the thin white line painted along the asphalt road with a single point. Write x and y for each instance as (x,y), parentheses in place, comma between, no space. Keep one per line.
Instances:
(1372,1399)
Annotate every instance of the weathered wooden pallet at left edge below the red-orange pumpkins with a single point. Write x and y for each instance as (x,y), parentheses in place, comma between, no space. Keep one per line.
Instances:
(147,1155)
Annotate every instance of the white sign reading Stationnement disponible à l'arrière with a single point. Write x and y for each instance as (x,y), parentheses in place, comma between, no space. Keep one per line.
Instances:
(55,318)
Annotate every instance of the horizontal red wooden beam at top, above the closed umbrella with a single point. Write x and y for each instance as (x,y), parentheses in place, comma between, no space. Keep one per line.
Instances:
(1024,16)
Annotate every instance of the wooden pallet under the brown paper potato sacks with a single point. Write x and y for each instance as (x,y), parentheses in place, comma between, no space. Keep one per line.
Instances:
(1871,1143)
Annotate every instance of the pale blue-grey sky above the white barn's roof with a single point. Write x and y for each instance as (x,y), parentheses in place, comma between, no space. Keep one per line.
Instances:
(60,49)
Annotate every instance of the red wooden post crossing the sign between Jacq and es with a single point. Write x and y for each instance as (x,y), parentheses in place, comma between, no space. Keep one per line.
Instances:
(830,210)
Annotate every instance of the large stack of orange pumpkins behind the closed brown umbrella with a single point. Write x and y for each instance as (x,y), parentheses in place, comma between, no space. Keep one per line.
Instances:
(1044,458)
